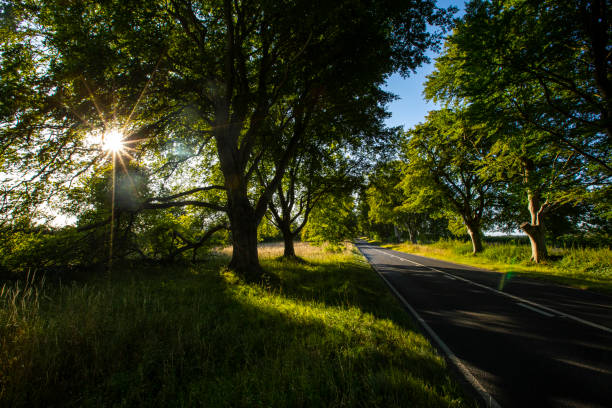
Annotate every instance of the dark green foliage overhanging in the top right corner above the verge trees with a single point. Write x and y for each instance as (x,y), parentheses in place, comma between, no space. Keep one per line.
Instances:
(543,63)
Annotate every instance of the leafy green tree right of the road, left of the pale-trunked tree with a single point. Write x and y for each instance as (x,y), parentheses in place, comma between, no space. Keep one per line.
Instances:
(442,157)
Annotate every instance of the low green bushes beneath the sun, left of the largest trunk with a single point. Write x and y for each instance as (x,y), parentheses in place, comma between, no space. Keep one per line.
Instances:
(63,252)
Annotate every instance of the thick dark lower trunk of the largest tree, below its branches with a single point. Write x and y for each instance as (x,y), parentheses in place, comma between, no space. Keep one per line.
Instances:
(243,224)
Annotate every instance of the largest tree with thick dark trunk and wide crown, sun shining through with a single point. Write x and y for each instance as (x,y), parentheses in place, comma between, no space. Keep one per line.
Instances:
(207,76)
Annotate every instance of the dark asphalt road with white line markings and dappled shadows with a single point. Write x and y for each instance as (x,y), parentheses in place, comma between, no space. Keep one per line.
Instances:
(519,342)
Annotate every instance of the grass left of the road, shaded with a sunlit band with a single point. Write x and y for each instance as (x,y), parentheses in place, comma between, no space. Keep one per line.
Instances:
(329,335)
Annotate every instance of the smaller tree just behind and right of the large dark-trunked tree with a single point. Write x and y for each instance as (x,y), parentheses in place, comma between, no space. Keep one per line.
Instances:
(331,160)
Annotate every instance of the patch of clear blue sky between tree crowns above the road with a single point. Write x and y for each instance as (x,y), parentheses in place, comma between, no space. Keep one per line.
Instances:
(411,108)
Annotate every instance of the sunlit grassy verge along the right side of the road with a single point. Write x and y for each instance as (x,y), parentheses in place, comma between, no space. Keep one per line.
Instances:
(581,268)
